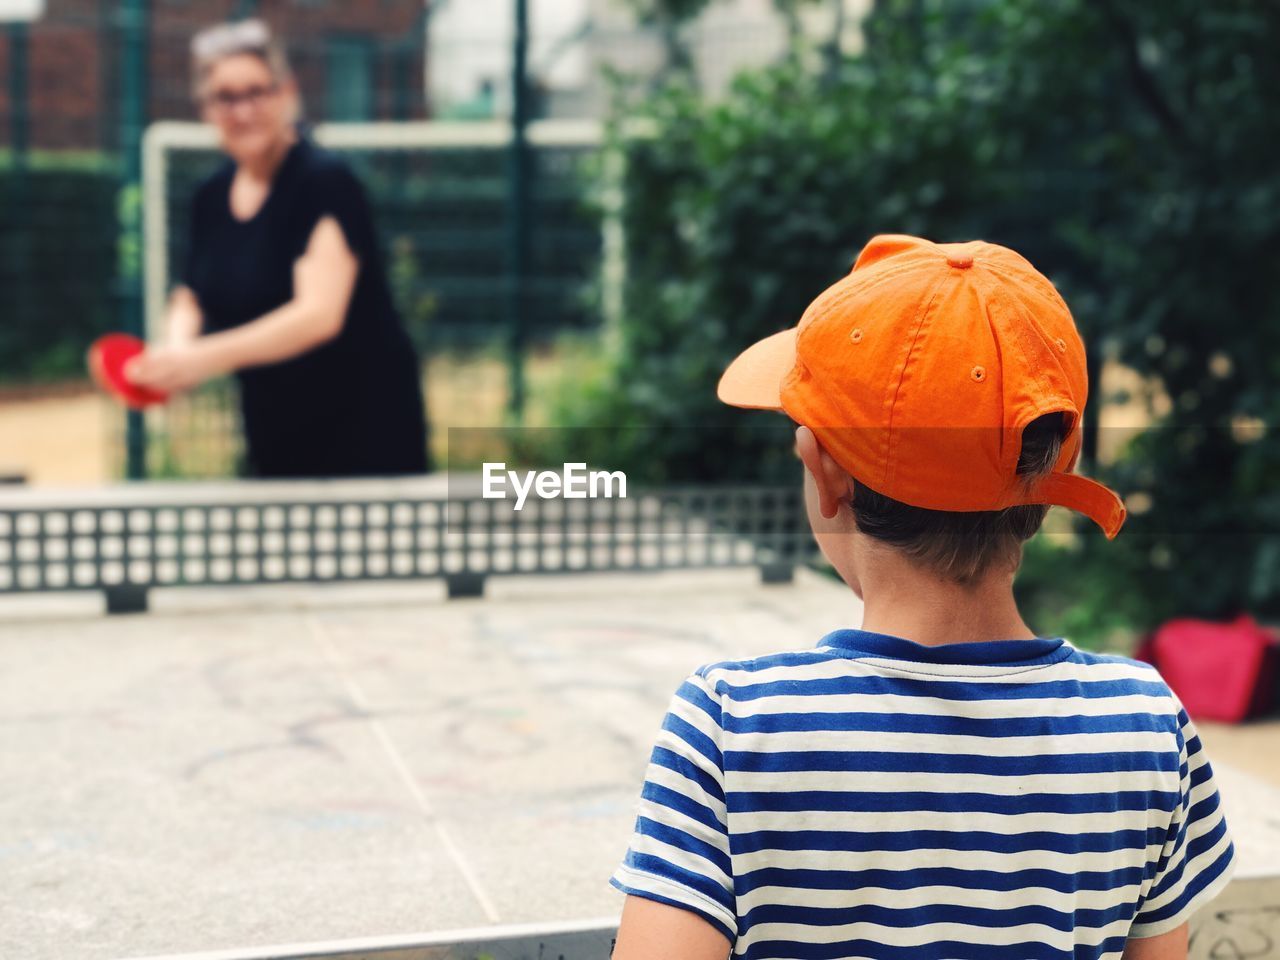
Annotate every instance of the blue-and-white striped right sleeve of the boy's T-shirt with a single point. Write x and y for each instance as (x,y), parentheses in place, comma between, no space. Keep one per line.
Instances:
(1199,857)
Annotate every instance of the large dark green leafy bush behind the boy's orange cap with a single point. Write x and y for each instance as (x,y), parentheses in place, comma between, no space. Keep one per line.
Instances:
(1121,147)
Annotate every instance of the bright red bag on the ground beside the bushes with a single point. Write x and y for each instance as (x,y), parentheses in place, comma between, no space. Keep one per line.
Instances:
(1220,671)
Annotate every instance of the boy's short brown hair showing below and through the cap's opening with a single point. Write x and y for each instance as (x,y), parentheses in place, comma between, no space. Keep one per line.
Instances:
(964,547)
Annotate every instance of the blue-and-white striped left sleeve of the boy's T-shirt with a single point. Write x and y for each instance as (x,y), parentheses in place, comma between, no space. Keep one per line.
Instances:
(679,853)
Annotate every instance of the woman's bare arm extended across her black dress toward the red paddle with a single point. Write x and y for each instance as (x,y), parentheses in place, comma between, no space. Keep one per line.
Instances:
(324,278)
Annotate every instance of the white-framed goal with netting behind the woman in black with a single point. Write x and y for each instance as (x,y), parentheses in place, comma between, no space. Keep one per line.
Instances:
(438,193)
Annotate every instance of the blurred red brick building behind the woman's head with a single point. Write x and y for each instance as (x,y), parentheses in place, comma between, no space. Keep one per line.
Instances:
(355,61)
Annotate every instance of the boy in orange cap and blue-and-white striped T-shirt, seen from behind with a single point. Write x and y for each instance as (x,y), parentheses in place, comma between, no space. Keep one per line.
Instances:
(941,783)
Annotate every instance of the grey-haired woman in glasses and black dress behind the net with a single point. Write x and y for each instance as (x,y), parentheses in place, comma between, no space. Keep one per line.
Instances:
(285,286)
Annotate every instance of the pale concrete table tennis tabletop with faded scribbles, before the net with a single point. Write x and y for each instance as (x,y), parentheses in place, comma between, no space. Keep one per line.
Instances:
(298,765)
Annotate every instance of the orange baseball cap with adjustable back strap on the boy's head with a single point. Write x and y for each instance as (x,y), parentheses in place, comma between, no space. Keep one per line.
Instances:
(920,371)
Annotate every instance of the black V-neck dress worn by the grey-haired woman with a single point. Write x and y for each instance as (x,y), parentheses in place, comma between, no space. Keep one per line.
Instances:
(350,408)
